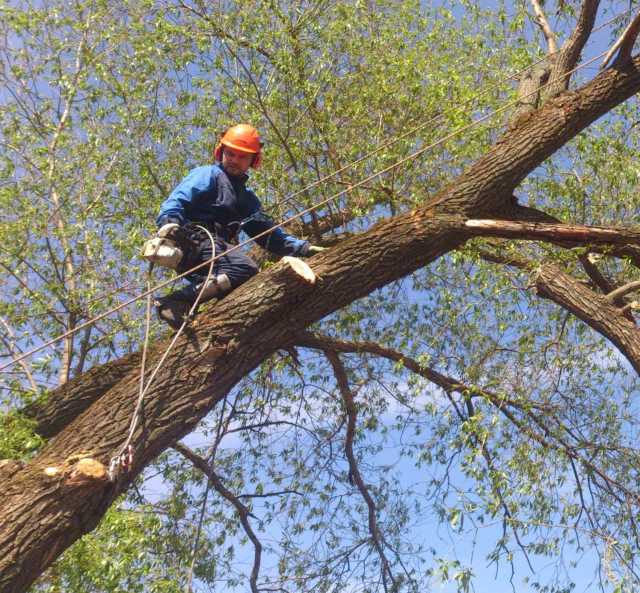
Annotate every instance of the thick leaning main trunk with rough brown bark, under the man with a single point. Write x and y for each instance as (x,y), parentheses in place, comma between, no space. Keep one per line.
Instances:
(43,513)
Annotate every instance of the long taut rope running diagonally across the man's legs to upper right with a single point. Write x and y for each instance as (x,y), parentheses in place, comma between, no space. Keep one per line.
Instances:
(331,198)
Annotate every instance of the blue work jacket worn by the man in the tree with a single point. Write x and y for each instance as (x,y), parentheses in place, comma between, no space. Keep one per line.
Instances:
(208,196)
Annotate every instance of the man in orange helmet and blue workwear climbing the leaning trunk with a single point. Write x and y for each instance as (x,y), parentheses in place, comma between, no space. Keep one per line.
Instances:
(216,197)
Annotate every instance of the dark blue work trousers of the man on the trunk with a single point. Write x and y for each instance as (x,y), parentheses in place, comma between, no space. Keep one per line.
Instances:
(236,265)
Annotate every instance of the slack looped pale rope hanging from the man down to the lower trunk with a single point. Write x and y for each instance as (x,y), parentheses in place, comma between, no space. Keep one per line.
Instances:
(123,460)
